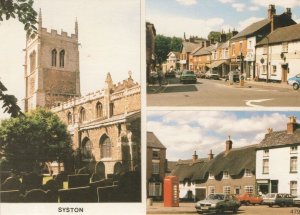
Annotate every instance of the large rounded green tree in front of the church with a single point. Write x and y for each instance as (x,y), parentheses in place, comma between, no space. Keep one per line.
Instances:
(38,137)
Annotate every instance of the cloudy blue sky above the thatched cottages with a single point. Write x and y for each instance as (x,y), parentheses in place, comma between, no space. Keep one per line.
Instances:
(183,132)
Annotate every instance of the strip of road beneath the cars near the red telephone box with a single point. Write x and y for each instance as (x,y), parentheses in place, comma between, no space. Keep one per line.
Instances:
(189,208)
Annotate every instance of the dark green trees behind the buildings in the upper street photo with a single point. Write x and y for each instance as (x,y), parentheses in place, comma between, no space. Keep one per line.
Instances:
(163,45)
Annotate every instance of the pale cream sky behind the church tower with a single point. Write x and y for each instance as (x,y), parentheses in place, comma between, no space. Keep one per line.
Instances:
(109,37)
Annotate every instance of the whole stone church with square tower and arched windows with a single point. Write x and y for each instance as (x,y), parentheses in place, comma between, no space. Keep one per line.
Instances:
(105,125)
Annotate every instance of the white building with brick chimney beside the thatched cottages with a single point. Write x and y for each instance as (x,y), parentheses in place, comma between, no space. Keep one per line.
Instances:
(277,162)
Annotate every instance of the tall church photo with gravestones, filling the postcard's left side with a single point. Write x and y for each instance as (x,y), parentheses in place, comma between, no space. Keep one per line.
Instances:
(70,122)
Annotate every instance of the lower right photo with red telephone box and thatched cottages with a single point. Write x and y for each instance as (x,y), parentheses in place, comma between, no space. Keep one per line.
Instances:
(223,162)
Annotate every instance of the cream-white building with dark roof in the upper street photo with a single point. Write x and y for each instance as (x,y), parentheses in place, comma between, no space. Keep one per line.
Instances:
(278,54)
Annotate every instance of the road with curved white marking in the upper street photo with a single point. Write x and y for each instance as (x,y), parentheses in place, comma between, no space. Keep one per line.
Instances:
(220,93)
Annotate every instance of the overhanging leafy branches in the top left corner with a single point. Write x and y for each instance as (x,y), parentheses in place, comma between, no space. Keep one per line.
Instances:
(21,9)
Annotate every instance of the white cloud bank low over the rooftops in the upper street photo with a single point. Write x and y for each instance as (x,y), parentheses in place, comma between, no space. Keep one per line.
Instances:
(171,25)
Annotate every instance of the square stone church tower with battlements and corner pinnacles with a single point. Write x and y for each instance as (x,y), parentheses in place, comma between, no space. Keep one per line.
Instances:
(51,68)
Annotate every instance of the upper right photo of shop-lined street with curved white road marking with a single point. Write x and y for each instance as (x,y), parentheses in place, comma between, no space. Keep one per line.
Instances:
(223,53)
